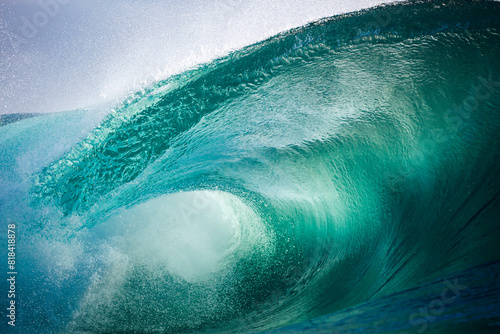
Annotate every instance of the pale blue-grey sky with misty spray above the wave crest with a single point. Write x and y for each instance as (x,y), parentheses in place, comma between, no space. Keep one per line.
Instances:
(58,55)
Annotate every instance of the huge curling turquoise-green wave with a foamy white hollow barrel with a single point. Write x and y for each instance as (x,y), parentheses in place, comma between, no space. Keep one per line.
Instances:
(330,165)
